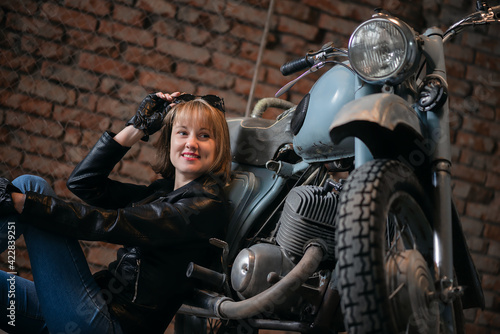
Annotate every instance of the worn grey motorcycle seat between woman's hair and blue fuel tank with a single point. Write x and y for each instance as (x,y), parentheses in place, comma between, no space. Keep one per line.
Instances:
(254,141)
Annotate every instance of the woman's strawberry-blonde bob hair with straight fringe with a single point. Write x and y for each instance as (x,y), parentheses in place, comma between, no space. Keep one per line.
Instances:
(200,112)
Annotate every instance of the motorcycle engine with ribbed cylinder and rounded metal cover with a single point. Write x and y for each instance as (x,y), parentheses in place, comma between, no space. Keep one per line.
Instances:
(308,214)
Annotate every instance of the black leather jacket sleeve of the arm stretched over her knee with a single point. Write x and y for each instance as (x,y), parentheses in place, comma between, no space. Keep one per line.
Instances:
(153,224)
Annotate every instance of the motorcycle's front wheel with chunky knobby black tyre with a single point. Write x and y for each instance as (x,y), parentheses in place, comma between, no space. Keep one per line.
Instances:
(384,249)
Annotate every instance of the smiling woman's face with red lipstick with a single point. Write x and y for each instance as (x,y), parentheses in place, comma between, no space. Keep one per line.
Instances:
(192,150)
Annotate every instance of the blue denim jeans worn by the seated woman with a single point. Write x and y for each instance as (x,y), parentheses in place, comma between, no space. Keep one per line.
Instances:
(64,297)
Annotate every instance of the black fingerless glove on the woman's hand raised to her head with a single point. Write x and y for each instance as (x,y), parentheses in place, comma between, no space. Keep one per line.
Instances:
(150,115)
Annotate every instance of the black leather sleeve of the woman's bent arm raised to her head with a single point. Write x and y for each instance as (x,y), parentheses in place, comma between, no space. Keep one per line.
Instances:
(90,182)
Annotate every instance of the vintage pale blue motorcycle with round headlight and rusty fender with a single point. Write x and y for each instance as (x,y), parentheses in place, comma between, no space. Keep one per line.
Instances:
(382,251)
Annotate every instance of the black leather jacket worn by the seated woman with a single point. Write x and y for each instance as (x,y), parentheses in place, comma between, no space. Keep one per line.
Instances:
(167,229)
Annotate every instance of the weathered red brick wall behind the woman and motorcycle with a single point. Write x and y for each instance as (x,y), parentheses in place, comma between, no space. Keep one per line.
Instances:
(70,69)
